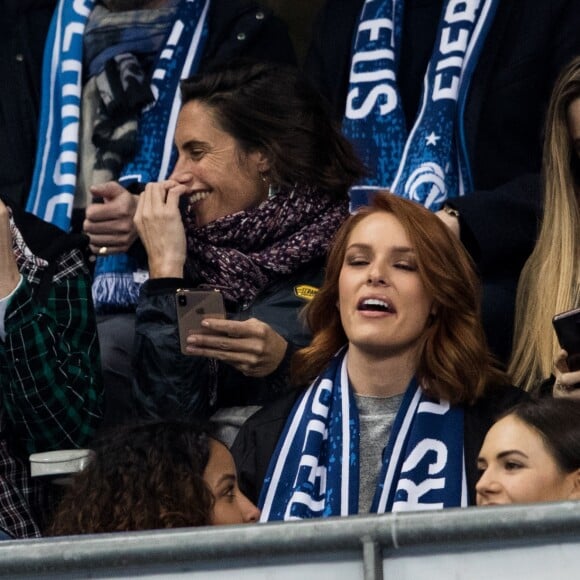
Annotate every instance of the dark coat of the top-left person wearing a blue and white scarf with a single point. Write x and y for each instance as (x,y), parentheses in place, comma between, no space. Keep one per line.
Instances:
(237,28)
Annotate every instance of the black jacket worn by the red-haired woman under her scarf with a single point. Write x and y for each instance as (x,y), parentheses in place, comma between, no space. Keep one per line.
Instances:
(257,439)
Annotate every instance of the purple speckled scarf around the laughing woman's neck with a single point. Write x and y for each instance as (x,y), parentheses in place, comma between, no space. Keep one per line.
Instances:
(242,253)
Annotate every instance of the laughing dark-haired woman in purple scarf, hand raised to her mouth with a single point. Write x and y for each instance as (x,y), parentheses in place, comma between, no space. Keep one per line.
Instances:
(257,193)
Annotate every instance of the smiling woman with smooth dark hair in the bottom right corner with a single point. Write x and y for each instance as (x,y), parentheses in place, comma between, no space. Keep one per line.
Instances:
(532,454)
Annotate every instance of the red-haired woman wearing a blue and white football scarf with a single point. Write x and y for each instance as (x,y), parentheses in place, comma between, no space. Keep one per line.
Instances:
(403,389)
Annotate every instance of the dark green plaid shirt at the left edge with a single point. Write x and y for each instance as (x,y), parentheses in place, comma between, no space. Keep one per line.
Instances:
(50,377)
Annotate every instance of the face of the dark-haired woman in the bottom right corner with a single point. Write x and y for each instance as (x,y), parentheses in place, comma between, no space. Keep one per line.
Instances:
(517,467)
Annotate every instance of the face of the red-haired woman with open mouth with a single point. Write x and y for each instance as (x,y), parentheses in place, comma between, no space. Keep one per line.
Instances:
(384,307)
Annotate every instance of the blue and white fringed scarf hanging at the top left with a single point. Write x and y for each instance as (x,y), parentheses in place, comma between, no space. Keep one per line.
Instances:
(55,176)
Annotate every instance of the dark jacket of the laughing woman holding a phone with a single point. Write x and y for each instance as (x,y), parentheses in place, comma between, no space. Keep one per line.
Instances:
(169,384)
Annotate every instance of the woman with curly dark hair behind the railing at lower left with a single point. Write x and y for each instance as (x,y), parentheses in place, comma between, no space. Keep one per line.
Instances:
(154,475)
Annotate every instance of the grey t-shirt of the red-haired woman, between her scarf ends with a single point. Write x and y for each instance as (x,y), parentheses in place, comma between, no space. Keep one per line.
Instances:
(376,417)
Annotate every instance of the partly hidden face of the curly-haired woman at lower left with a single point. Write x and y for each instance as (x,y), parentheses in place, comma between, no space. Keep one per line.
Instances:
(231,506)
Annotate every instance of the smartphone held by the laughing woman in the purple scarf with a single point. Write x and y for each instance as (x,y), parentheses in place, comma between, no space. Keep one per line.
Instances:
(192,307)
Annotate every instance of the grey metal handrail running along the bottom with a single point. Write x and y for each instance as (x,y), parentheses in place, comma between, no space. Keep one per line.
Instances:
(372,537)
